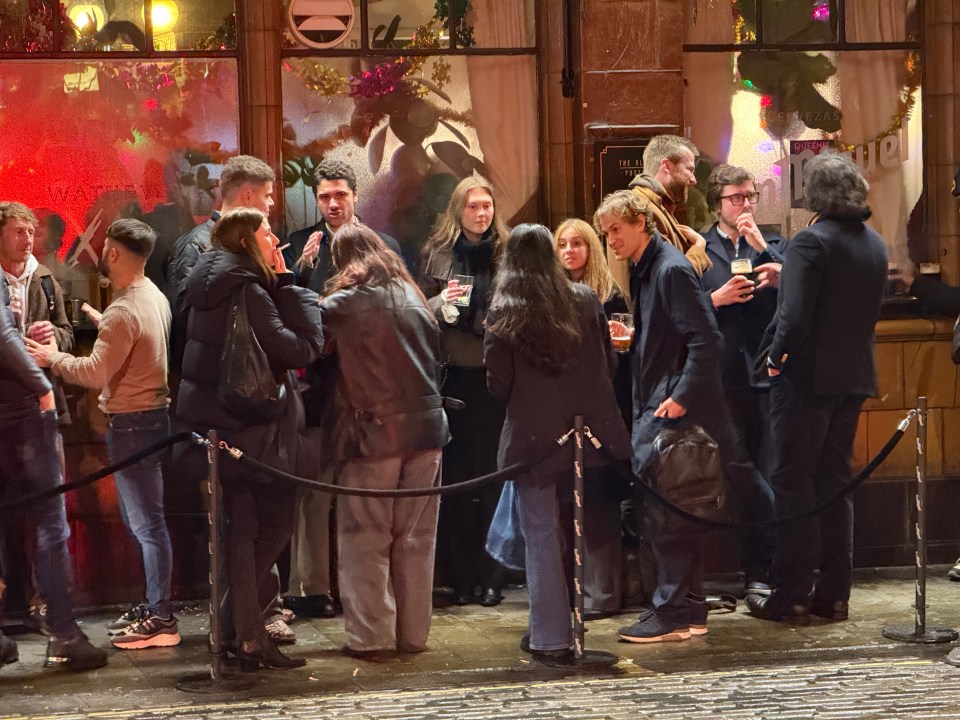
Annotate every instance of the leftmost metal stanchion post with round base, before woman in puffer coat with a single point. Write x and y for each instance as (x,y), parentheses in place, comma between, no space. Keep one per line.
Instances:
(217,681)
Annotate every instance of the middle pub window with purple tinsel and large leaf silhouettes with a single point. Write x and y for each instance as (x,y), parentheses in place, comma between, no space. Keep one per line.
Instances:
(414,95)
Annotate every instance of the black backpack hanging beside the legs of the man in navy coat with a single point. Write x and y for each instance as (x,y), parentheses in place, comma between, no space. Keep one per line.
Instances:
(685,468)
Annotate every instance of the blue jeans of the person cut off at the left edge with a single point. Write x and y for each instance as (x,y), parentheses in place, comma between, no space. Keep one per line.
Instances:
(29,463)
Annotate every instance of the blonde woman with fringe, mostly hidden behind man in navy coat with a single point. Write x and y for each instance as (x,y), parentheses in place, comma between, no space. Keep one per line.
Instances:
(580,252)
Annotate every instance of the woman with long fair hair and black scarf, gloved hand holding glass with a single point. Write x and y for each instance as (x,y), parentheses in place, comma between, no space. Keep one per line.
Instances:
(467,241)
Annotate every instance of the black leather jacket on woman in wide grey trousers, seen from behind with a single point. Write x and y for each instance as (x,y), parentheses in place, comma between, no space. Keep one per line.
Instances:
(387,347)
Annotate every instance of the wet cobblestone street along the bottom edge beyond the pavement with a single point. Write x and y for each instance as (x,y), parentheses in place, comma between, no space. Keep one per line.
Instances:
(889,689)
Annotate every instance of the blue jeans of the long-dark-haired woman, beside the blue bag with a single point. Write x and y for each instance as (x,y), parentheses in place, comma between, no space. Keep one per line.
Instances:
(547,548)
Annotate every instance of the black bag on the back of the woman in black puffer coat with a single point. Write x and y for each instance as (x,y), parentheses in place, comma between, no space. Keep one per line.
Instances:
(247,385)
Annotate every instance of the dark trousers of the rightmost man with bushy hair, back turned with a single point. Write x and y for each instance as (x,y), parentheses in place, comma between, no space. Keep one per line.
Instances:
(812,461)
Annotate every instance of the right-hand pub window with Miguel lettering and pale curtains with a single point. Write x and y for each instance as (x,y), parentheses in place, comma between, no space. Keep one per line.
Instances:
(770,83)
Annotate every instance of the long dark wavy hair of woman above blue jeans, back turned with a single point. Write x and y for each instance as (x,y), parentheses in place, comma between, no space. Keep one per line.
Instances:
(534,305)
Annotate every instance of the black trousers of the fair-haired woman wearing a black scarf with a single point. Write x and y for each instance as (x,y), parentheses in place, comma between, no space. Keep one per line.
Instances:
(462,561)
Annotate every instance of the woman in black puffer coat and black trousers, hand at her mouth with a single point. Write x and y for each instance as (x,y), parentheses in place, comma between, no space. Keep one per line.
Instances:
(285,321)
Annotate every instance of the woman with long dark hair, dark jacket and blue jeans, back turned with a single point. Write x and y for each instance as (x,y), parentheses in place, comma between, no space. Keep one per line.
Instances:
(548,359)
